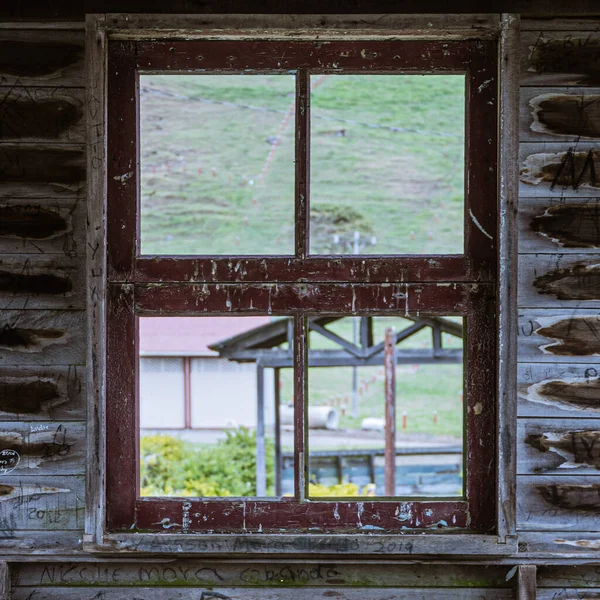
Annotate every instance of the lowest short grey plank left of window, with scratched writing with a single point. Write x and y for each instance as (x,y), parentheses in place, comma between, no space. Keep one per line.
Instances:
(54,502)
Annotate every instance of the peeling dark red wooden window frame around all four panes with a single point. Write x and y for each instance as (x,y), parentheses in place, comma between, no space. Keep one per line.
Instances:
(465,285)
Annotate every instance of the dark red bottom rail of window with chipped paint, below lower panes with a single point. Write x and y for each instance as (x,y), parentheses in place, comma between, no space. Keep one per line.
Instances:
(252,516)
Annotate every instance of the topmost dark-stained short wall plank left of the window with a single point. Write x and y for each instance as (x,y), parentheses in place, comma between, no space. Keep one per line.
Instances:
(42,58)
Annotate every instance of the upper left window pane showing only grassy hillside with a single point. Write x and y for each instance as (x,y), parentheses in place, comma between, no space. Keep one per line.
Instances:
(217,164)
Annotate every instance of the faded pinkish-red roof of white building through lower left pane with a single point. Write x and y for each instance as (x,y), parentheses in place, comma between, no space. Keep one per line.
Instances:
(185,336)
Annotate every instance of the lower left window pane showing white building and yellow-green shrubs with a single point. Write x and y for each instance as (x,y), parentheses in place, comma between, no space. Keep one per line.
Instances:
(200,375)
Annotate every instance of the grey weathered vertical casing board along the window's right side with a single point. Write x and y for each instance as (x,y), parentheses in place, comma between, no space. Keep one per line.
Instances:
(508,284)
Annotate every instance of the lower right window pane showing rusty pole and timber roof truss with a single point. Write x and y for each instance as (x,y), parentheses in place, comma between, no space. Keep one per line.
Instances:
(347,415)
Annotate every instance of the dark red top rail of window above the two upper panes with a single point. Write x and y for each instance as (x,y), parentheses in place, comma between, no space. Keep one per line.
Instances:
(348,56)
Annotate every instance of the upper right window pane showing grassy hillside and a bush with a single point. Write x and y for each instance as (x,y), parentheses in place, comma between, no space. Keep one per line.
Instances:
(387,164)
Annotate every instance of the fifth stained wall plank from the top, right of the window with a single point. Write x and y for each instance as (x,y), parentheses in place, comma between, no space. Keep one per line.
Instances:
(559,280)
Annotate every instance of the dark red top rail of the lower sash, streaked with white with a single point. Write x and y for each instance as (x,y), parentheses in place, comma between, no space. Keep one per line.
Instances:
(286,298)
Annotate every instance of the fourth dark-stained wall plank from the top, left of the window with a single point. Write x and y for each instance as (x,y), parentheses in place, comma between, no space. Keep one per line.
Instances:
(42,226)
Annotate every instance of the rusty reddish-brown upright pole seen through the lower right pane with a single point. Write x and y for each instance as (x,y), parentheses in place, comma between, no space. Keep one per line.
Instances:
(389,364)
